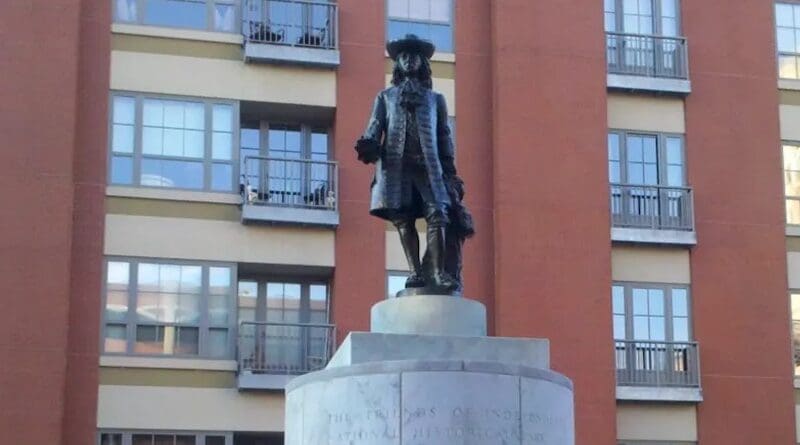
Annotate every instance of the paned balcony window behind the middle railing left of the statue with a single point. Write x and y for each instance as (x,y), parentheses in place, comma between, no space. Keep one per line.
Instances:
(287,164)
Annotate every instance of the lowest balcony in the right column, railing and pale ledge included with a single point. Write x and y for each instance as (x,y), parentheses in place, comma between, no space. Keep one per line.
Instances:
(663,371)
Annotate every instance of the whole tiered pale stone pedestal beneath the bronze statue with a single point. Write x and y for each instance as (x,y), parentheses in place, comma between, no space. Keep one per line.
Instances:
(403,386)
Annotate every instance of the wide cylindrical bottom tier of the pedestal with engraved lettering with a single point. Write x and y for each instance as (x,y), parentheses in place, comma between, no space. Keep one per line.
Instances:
(430,403)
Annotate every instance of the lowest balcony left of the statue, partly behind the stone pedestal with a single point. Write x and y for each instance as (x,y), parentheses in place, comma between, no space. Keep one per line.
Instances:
(271,354)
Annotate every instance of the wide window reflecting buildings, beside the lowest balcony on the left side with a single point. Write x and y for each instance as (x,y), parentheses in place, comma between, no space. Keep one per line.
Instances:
(160,308)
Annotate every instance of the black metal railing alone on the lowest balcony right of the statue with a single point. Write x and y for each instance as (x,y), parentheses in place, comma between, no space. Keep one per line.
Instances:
(657,363)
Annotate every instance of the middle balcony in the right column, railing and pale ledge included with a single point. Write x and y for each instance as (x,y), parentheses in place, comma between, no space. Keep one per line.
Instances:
(652,214)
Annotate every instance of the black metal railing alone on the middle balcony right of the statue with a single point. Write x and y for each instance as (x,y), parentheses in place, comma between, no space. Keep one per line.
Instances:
(652,207)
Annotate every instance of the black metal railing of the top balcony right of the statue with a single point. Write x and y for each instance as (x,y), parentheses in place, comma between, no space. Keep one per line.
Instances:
(646,55)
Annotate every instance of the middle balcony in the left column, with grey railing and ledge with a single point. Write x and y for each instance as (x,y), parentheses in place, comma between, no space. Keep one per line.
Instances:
(290,191)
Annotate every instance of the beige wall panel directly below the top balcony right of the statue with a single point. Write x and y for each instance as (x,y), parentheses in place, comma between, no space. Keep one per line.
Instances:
(645,113)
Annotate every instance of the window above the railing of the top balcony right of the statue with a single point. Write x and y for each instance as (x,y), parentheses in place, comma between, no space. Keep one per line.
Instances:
(649,17)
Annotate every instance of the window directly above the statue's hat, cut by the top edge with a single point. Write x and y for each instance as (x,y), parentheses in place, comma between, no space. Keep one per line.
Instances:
(428,19)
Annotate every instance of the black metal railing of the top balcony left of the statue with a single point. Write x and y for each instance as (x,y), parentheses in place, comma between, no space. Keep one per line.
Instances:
(302,23)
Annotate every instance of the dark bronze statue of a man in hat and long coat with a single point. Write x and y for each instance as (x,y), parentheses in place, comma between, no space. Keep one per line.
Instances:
(408,139)
